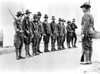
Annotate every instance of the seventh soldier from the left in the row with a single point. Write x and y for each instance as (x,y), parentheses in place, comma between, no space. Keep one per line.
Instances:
(60,34)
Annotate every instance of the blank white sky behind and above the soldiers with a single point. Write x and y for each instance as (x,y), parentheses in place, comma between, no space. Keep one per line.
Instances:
(67,9)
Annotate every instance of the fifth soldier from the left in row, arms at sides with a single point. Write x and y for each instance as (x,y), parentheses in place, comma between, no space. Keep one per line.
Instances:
(46,33)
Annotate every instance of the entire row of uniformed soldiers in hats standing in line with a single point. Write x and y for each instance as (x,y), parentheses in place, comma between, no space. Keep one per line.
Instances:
(27,32)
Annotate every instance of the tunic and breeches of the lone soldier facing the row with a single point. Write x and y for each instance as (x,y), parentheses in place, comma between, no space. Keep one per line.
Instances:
(87,25)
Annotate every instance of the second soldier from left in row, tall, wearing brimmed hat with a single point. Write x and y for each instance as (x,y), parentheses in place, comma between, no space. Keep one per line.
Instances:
(27,32)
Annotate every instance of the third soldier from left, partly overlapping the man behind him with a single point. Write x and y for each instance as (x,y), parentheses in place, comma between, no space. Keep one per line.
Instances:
(35,35)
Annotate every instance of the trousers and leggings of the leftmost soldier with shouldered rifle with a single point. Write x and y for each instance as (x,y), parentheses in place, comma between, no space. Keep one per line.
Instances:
(18,43)
